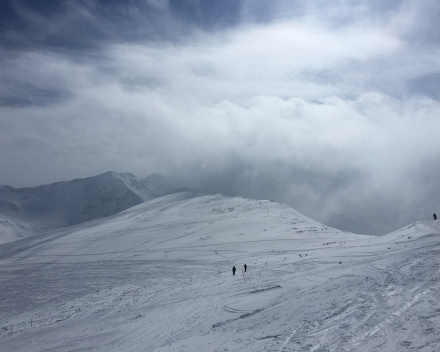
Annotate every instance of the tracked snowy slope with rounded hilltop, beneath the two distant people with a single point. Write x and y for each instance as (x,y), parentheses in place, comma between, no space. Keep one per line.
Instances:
(158,277)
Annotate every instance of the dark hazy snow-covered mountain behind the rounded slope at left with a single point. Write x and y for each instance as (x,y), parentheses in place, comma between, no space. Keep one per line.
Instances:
(27,211)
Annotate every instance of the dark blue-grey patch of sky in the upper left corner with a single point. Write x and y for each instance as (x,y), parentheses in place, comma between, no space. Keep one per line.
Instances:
(81,25)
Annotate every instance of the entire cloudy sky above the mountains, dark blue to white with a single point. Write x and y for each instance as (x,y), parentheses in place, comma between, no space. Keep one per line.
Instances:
(330,107)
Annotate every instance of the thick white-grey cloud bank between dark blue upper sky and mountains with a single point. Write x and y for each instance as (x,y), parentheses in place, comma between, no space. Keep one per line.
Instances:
(314,115)
